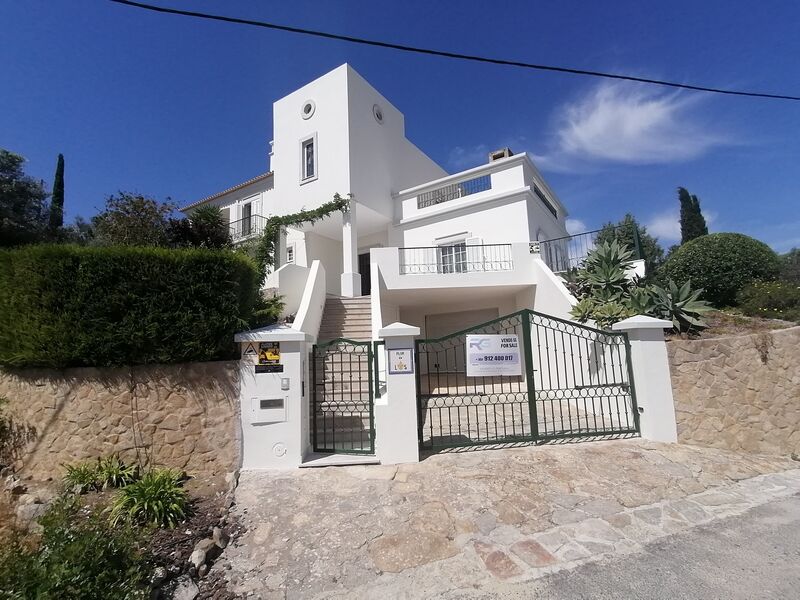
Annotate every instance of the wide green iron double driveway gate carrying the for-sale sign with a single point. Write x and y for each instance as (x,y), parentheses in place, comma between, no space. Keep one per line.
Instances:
(576,382)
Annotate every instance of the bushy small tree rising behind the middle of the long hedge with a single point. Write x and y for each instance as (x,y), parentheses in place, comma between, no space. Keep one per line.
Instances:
(133,220)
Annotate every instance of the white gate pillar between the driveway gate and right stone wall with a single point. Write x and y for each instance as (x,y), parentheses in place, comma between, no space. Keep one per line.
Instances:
(651,377)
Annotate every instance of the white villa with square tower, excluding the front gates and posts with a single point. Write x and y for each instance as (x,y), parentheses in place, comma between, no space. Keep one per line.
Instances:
(435,250)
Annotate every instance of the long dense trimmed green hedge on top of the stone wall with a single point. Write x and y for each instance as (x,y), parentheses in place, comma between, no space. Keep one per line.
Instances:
(64,306)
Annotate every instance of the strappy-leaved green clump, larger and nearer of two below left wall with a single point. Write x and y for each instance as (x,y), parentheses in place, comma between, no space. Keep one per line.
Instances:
(156,499)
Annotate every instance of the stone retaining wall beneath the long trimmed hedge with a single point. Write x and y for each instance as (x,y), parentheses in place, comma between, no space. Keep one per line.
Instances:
(183,416)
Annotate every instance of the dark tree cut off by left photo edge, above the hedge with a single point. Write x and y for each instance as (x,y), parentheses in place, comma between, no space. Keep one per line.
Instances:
(23,213)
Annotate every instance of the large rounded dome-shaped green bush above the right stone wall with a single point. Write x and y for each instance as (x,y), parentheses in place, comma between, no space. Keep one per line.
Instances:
(722,263)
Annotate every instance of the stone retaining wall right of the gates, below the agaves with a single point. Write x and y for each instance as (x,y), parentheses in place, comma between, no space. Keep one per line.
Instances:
(740,393)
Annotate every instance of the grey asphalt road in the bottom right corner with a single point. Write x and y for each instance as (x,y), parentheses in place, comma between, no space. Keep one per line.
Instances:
(749,557)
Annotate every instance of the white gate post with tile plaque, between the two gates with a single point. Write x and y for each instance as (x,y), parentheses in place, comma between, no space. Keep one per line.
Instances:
(396,438)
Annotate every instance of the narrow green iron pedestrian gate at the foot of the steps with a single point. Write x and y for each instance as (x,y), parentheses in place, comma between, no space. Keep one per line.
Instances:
(342,412)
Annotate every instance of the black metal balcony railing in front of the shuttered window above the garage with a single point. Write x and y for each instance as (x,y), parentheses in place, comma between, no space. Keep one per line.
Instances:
(456,258)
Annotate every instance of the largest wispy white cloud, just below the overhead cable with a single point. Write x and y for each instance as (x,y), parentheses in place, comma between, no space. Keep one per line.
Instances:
(631,124)
